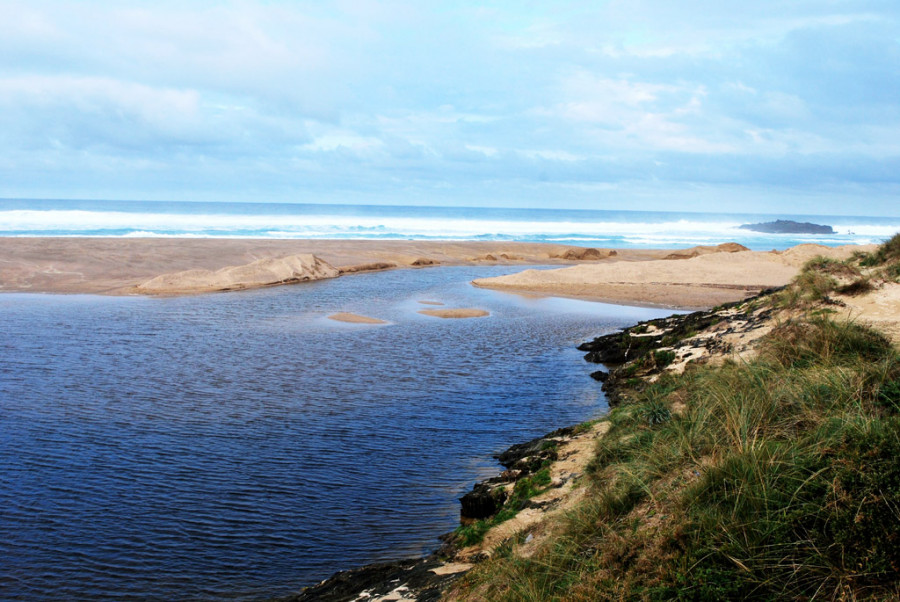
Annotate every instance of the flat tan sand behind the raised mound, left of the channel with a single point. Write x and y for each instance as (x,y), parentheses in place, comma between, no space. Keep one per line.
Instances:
(116,266)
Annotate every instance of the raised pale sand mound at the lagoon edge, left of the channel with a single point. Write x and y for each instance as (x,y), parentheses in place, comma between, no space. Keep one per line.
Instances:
(263,272)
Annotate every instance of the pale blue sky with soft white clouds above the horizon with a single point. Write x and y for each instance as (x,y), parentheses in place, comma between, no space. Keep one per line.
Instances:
(710,105)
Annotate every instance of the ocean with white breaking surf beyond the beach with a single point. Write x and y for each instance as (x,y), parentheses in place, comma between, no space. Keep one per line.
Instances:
(620,229)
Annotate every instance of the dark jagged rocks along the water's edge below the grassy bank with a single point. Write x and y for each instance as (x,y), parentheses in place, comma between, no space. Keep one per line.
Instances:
(632,356)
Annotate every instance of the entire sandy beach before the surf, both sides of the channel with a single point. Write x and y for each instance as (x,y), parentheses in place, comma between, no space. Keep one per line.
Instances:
(691,278)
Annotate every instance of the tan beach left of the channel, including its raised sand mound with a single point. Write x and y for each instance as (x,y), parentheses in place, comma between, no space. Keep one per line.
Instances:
(177,266)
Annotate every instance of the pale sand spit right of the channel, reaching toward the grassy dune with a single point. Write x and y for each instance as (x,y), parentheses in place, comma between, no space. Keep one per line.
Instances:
(703,280)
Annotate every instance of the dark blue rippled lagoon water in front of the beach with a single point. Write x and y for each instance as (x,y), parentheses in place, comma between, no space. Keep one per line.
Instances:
(242,445)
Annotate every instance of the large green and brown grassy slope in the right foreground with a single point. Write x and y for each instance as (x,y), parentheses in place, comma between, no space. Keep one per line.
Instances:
(774,479)
